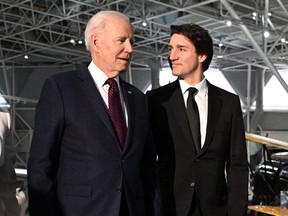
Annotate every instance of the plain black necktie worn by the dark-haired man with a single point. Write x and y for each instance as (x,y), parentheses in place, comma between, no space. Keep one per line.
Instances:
(193,118)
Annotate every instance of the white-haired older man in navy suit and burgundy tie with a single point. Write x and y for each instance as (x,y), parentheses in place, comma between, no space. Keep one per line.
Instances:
(91,153)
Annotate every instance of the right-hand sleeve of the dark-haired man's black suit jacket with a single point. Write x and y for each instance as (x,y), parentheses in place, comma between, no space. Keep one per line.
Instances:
(237,166)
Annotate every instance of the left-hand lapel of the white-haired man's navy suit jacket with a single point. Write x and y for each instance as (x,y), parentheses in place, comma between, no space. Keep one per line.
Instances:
(90,90)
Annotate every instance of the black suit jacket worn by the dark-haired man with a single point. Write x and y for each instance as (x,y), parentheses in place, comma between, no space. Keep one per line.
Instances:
(217,177)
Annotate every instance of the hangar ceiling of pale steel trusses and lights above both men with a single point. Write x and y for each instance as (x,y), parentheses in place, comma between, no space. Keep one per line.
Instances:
(42,29)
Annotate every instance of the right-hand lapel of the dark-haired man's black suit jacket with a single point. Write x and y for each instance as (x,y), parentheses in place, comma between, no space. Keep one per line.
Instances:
(214,108)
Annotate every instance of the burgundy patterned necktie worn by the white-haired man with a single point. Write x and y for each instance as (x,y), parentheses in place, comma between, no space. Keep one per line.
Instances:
(116,111)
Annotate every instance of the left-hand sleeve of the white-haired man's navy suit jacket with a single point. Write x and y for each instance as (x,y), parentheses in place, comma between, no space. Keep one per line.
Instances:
(44,151)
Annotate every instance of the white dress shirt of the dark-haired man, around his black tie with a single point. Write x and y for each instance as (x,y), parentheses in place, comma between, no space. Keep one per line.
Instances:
(201,98)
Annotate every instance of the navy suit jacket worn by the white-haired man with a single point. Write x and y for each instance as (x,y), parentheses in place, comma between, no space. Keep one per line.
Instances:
(76,166)
